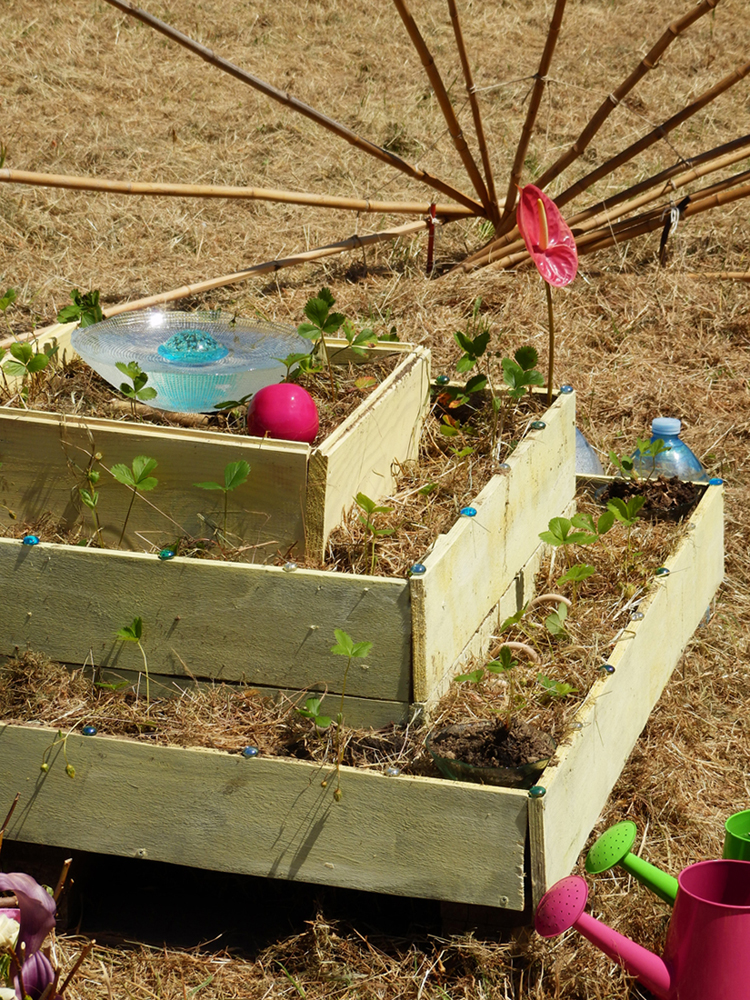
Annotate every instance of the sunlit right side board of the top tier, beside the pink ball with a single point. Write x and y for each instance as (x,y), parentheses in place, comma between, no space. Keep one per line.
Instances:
(361,455)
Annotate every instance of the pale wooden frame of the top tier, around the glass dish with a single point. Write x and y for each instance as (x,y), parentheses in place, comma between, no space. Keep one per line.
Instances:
(293,498)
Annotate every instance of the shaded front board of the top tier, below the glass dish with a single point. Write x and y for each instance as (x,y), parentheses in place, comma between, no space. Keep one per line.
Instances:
(267,510)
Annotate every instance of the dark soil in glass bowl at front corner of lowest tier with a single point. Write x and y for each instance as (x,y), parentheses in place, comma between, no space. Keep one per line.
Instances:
(492,745)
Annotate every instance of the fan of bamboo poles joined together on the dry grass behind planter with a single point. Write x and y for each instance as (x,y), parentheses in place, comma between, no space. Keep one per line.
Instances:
(649,205)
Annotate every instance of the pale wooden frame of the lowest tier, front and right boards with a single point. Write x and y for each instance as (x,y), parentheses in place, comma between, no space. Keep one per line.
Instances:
(403,835)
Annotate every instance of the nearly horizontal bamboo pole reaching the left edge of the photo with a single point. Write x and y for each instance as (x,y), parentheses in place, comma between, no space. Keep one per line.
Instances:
(221,191)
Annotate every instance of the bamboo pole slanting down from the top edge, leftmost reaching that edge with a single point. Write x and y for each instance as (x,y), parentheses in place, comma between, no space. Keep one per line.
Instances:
(296,105)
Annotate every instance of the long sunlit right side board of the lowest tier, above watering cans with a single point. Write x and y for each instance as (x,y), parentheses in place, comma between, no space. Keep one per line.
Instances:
(617,707)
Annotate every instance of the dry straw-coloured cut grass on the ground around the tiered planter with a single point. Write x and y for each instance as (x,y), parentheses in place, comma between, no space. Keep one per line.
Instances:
(85,90)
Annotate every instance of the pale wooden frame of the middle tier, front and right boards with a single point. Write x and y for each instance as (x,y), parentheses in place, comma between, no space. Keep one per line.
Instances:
(273,629)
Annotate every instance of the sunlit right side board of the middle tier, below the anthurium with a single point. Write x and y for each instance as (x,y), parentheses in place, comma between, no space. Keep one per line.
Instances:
(470,567)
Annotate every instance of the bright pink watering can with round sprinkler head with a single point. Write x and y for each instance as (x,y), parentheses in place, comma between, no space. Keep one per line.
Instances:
(707,954)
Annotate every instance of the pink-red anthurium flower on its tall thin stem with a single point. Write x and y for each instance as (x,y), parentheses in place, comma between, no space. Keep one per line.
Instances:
(552,247)
